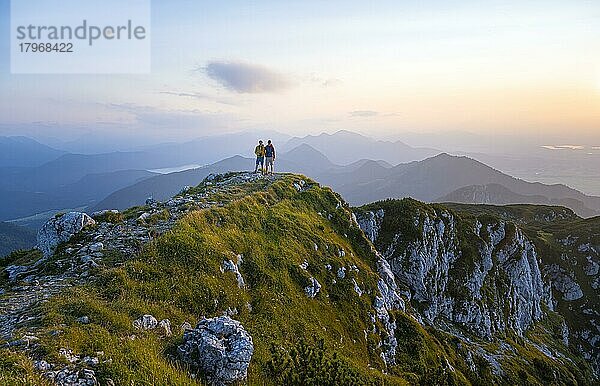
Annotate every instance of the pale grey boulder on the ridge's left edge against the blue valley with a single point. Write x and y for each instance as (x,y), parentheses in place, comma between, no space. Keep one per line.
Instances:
(60,229)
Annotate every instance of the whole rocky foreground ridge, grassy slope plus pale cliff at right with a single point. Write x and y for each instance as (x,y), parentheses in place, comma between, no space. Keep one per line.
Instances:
(259,249)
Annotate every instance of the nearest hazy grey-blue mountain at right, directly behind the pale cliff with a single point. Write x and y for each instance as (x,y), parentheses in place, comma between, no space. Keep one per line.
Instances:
(436,177)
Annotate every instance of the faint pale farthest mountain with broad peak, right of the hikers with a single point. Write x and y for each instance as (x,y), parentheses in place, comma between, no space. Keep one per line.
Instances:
(345,147)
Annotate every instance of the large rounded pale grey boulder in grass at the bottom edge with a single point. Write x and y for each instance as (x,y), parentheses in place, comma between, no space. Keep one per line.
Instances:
(219,347)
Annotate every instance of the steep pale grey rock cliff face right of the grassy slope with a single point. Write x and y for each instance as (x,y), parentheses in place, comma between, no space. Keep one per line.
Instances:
(495,287)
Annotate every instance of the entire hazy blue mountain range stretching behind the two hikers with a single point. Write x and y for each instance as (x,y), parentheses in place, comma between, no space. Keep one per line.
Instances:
(38,179)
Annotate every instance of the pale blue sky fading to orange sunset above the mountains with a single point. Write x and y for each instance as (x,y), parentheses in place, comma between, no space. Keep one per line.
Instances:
(525,68)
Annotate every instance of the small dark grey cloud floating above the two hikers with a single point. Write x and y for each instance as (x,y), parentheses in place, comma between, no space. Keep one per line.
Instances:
(247,78)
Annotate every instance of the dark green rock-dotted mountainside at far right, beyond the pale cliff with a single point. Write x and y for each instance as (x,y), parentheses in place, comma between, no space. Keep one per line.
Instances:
(569,252)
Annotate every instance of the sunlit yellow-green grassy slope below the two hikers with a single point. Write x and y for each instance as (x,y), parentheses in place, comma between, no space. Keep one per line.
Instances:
(178,277)
